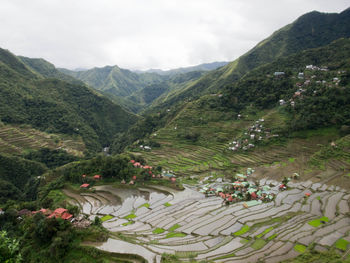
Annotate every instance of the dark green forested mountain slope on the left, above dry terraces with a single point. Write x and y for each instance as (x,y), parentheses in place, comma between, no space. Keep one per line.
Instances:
(27,96)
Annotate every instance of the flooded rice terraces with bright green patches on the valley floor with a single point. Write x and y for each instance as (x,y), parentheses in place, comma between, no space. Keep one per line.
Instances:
(151,222)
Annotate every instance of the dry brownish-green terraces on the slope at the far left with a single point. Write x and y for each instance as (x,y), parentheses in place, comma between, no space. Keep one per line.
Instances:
(16,139)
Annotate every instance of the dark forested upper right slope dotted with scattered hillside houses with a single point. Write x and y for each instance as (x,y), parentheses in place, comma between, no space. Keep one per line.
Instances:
(319,96)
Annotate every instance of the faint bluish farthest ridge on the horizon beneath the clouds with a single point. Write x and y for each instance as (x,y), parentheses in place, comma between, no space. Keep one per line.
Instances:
(200,67)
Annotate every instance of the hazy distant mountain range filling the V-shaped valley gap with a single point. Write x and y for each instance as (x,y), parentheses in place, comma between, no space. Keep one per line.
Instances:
(136,90)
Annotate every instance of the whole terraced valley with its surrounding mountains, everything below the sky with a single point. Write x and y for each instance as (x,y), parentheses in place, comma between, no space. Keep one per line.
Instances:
(241,161)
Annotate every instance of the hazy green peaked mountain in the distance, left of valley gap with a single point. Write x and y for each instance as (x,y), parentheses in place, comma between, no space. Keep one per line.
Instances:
(114,80)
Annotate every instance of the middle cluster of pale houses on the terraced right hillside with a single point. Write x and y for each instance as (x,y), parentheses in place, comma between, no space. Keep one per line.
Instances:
(255,133)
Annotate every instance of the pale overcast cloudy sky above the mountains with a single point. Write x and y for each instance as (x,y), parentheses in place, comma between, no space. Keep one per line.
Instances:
(143,34)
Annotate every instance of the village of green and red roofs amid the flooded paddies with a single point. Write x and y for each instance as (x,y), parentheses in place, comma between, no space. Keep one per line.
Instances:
(241,190)
